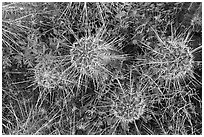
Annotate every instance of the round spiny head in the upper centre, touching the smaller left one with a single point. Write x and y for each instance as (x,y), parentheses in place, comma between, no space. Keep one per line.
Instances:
(90,57)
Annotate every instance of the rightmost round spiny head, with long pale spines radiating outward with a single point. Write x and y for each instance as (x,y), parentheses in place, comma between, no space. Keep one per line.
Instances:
(170,61)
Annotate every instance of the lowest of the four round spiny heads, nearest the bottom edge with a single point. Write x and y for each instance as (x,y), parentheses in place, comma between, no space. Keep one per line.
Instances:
(128,99)
